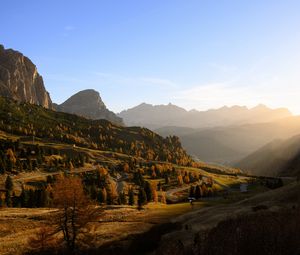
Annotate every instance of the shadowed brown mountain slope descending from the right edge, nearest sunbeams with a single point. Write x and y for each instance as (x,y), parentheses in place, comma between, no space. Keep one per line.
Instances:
(277,158)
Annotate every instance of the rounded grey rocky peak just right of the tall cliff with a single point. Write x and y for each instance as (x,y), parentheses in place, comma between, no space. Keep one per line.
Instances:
(88,103)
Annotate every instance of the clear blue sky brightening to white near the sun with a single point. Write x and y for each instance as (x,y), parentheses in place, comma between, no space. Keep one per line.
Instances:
(197,54)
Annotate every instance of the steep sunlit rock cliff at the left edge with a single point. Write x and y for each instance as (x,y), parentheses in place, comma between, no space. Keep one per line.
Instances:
(20,80)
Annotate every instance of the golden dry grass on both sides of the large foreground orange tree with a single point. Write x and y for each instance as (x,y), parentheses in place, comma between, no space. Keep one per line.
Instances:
(114,223)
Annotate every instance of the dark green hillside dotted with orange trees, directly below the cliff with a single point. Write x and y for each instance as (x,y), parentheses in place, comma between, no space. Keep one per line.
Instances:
(27,120)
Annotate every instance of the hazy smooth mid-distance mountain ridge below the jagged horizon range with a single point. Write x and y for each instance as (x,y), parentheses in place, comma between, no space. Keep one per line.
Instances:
(228,145)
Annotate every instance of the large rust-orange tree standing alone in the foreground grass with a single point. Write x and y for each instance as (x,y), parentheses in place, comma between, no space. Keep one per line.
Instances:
(75,209)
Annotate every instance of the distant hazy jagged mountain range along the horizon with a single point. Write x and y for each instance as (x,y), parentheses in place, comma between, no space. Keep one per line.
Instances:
(157,116)
